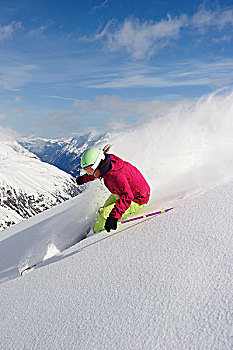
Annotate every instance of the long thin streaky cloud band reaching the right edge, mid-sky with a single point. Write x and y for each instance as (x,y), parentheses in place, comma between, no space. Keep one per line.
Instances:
(187,73)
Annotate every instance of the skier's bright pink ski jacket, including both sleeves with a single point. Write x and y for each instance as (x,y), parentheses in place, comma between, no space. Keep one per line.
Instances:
(127,182)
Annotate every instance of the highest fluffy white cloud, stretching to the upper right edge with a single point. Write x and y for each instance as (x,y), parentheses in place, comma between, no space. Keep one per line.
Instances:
(141,39)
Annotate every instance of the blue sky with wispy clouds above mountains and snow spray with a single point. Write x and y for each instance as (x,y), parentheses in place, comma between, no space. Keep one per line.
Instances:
(71,67)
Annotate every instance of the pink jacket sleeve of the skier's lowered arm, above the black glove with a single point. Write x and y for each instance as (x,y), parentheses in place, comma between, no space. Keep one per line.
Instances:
(126,197)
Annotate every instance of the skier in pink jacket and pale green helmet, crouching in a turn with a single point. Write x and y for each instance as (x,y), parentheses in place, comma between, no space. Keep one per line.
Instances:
(129,190)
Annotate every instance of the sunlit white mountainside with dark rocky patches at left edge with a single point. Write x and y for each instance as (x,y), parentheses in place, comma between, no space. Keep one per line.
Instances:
(28,185)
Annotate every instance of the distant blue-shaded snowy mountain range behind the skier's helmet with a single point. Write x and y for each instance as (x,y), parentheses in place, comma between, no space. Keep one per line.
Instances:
(63,153)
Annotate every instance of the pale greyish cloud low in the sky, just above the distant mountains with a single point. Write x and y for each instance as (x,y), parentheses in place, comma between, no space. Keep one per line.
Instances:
(106,112)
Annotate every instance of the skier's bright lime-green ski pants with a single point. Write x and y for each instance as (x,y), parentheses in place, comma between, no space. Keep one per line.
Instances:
(104,211)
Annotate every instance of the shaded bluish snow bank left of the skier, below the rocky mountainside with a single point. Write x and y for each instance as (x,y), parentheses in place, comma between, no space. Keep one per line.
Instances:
(49,232)
